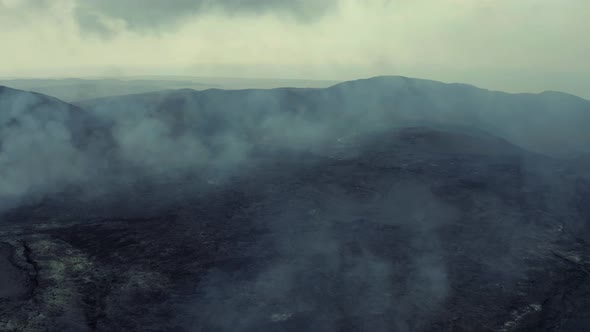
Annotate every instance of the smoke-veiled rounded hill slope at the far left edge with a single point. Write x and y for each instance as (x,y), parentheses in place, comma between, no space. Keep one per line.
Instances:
(45,143)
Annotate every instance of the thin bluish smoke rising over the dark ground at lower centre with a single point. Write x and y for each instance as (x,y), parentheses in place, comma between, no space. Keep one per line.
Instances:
(327,279)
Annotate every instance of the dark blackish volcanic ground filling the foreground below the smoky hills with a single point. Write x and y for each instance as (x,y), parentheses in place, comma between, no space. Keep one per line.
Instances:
(418,230)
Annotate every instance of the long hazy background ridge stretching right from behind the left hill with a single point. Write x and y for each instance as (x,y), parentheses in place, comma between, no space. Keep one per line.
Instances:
(550,122)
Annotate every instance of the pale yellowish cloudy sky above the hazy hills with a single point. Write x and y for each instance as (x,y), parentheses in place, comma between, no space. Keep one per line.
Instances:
(511,45)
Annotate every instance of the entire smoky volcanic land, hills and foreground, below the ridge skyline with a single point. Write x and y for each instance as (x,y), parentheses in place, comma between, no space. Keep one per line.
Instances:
(388,204)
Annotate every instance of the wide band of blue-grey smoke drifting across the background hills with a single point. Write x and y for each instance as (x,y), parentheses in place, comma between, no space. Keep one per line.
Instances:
(222,132)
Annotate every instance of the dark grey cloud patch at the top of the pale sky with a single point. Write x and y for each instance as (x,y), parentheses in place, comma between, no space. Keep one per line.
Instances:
(149,16)
